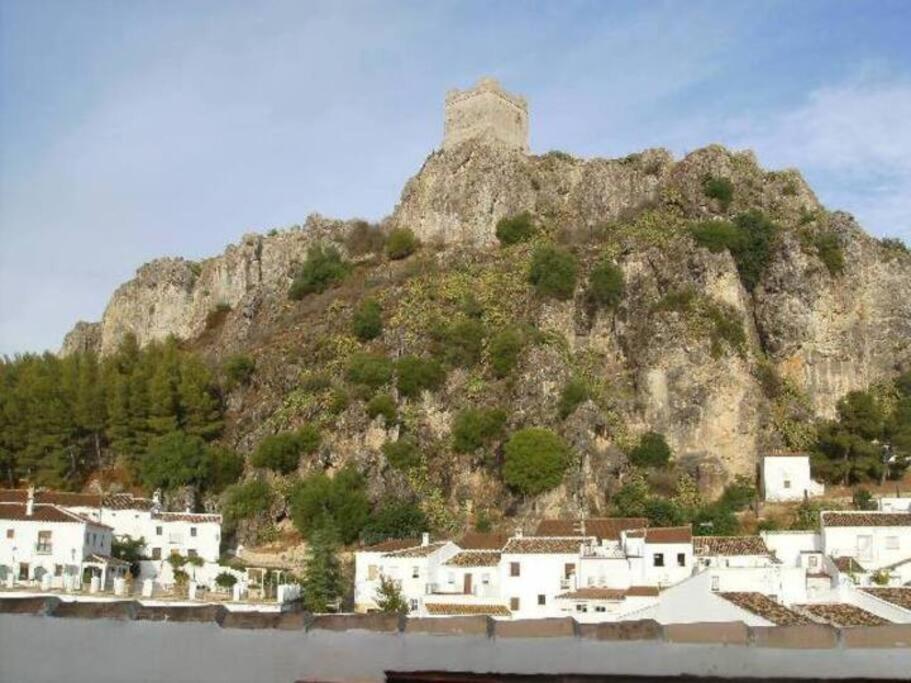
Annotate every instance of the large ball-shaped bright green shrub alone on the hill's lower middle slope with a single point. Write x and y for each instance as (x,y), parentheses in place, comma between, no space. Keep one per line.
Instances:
(535,460)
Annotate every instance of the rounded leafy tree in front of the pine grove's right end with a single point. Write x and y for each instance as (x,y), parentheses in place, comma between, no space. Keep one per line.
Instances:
(174,460)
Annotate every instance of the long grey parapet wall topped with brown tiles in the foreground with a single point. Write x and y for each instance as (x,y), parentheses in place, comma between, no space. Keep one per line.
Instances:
(124,641)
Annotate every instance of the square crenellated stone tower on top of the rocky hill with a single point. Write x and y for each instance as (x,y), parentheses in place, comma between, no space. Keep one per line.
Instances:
(488,112)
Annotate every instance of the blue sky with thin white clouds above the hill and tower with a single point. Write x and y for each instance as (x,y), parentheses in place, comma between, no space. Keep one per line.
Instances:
(131,130)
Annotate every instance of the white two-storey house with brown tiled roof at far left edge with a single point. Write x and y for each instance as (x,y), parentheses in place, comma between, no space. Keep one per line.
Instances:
(53,547)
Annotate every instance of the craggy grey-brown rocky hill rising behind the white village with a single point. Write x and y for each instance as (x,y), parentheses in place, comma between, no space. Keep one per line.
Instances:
(725,363)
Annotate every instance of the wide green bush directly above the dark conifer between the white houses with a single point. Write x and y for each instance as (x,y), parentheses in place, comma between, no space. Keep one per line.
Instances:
(340,502)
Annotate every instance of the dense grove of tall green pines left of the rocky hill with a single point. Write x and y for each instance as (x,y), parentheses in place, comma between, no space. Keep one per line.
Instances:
(62,418)
